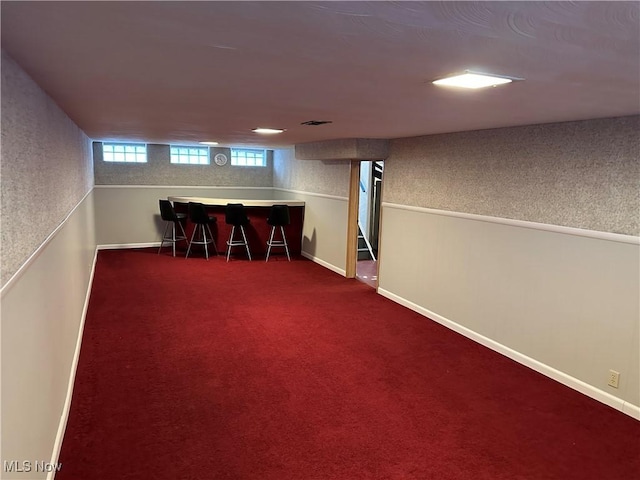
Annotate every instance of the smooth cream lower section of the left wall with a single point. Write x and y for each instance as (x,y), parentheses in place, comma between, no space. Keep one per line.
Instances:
(43,309)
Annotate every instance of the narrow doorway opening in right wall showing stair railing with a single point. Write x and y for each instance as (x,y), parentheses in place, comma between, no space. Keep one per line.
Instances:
(369,198)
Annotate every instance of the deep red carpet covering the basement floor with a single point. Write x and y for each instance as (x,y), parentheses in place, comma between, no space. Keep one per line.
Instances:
(195,369)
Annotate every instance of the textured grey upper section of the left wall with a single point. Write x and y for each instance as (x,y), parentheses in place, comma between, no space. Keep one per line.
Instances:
(45,166)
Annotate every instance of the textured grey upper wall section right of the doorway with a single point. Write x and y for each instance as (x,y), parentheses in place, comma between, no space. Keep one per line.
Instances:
(578,174)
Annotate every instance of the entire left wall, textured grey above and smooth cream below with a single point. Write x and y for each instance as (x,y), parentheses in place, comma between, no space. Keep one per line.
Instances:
(46,178)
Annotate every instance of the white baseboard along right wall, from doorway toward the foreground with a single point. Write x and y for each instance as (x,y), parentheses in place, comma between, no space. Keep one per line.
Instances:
(546,370)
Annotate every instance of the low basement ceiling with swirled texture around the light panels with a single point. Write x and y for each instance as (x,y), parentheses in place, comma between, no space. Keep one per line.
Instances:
(182,72)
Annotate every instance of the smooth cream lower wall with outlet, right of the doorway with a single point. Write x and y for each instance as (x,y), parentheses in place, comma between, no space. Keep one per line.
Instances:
(564,304)
